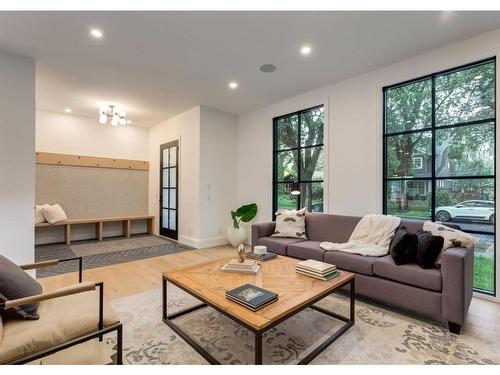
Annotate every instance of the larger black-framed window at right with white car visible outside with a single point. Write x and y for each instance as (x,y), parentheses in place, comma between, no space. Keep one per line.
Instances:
(440,155)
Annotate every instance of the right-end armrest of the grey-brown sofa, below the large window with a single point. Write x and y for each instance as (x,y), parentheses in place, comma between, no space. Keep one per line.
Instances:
(457,266)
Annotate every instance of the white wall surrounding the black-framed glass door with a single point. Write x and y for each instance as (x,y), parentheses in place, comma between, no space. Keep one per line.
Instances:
(184,127)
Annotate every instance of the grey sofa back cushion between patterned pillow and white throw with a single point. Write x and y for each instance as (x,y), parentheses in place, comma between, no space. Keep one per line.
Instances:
(327,227)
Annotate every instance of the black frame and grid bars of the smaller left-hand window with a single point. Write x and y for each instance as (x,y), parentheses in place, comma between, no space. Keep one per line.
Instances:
(276,151)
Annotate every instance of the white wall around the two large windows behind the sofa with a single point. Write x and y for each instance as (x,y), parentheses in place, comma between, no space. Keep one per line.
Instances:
(354,131)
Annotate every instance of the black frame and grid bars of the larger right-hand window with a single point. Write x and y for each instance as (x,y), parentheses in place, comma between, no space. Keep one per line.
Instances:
(433,179)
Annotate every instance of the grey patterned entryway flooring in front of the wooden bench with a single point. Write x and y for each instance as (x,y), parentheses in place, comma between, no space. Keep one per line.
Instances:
(104,253)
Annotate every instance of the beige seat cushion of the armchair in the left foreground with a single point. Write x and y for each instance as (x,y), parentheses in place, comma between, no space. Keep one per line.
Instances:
(61,319)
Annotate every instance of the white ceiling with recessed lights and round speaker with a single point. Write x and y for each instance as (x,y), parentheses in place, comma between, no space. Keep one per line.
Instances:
(158,64)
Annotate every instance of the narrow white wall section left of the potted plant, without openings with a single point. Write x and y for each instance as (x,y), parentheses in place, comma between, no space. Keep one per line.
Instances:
(218,172)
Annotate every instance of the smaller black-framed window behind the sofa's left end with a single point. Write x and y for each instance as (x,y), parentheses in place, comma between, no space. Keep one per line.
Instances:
(298,158)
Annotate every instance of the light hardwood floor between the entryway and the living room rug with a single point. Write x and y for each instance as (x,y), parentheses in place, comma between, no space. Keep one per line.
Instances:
(125,279)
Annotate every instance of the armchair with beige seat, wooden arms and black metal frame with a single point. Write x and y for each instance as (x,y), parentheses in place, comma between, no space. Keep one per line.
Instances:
(68,316)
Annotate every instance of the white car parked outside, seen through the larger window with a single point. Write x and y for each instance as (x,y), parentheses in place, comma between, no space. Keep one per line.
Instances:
(471,210)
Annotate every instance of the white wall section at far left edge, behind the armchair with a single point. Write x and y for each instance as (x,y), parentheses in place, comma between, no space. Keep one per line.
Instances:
(17,154)
